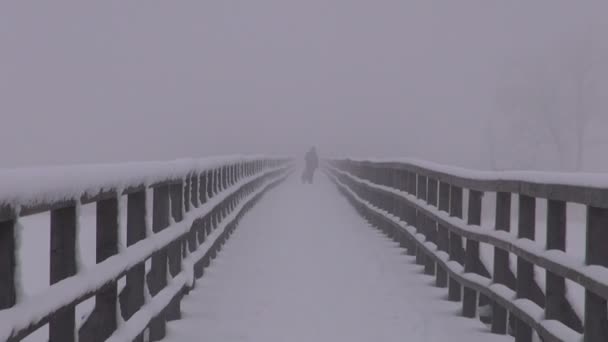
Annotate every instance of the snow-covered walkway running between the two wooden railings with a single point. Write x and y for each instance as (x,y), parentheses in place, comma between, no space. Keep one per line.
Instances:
(303,266)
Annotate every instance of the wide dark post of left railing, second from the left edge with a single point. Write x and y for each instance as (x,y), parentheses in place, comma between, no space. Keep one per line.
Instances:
(63,265)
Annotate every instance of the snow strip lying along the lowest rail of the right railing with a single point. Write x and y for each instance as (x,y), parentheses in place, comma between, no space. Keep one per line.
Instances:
(503,294)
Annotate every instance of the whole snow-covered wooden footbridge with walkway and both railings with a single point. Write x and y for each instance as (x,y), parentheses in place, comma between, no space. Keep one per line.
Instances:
(158,226)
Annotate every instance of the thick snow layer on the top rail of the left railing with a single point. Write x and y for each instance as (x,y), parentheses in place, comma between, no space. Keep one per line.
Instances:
(28,186)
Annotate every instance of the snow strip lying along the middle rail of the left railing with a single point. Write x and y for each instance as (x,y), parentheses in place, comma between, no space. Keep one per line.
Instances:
(32,309)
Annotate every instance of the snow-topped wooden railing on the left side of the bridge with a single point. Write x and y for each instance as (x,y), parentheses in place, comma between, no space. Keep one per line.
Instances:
(195,205)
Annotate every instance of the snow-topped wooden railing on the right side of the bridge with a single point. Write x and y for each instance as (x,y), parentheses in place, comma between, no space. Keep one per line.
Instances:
(421,206)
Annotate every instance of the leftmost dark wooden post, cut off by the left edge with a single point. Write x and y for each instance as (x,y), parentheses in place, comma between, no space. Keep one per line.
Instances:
(8,259)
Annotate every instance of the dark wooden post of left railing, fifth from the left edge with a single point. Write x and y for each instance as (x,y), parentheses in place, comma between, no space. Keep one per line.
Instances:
(157,276)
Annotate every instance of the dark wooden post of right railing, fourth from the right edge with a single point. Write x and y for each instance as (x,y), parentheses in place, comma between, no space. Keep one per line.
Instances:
(501,260)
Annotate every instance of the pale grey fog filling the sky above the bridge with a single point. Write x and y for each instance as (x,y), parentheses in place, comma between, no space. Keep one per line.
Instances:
(478,83)
